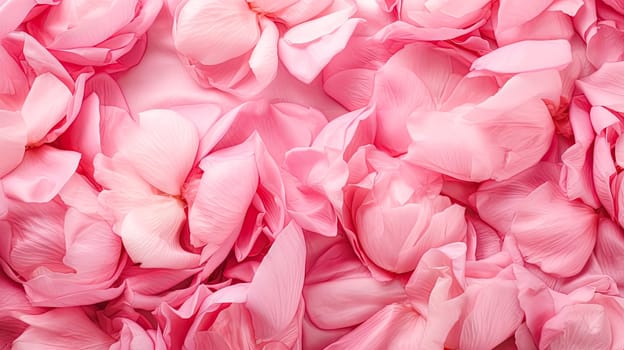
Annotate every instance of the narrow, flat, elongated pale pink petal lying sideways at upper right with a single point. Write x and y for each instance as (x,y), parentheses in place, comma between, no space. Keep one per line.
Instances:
(523,56)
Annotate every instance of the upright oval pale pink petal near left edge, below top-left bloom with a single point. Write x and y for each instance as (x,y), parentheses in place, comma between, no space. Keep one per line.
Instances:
(46,104)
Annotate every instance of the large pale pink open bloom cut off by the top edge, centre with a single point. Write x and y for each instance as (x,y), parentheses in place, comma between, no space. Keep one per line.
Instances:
(248,39)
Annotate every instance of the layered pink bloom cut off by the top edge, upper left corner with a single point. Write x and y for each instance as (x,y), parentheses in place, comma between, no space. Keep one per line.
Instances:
(105,34)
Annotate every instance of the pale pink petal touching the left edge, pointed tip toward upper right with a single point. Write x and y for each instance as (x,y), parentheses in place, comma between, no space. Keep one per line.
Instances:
(41,175)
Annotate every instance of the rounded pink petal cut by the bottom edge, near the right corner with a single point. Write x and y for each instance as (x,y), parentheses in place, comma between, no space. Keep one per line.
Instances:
(581,326)
